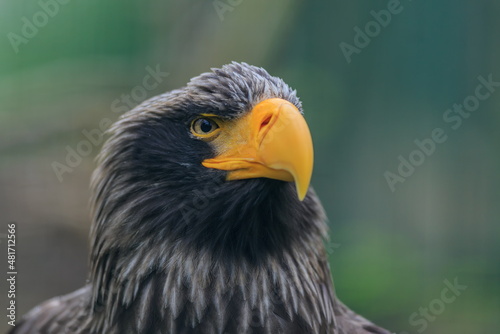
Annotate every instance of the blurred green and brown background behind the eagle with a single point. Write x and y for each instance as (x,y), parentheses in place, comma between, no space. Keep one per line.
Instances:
(391,251)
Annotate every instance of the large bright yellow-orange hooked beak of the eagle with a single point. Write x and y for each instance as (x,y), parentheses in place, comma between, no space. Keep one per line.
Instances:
(272,141)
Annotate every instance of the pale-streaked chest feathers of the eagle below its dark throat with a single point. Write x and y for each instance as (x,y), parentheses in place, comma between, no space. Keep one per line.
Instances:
(194,294)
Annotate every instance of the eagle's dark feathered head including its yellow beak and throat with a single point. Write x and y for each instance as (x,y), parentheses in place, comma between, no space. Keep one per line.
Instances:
(222,164)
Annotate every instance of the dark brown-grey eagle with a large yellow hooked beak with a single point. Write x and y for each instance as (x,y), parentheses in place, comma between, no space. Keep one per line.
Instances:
(203,220)
